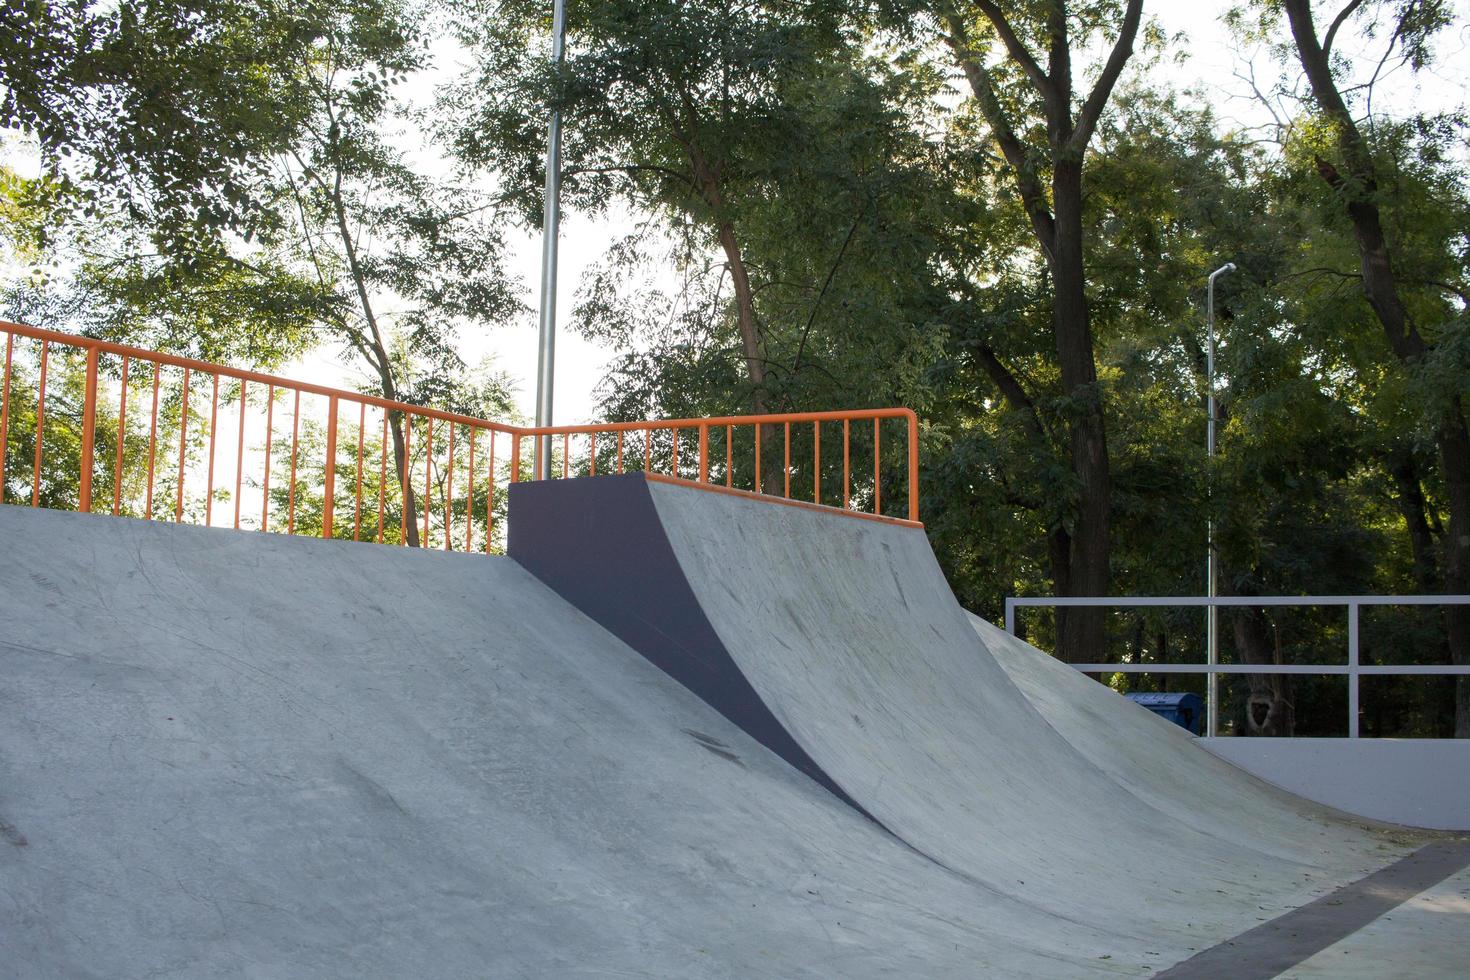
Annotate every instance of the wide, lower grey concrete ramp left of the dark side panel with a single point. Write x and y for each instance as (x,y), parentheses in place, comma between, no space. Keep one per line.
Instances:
(242,754)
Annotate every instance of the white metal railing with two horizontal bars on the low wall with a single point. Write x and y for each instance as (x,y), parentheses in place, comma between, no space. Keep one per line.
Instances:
(1353,669)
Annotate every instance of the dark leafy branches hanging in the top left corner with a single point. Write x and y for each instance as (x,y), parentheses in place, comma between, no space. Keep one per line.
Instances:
(161,108)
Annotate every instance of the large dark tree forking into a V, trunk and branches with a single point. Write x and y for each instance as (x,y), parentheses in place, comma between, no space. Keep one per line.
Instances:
(1044,136)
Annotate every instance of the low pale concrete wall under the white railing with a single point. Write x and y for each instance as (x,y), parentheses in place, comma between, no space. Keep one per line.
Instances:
(1416,782)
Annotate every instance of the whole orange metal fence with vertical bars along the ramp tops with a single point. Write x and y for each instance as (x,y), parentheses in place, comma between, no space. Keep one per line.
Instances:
(82,431)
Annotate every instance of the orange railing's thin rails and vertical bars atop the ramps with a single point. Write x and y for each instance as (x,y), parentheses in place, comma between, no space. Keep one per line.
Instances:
(334,396)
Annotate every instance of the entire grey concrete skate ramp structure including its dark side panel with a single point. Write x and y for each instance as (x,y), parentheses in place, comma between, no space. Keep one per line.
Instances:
(675,732)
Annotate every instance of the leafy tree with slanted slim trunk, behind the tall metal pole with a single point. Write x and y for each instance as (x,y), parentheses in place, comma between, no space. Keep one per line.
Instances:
(687,111)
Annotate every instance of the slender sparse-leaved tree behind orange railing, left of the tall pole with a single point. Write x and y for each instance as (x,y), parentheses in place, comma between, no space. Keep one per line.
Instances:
(373,231)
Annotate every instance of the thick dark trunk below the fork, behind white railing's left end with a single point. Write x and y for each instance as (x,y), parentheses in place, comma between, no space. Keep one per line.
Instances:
(1083,631)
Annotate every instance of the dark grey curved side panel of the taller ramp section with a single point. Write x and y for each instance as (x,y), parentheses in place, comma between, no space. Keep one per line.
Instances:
(599,544)
